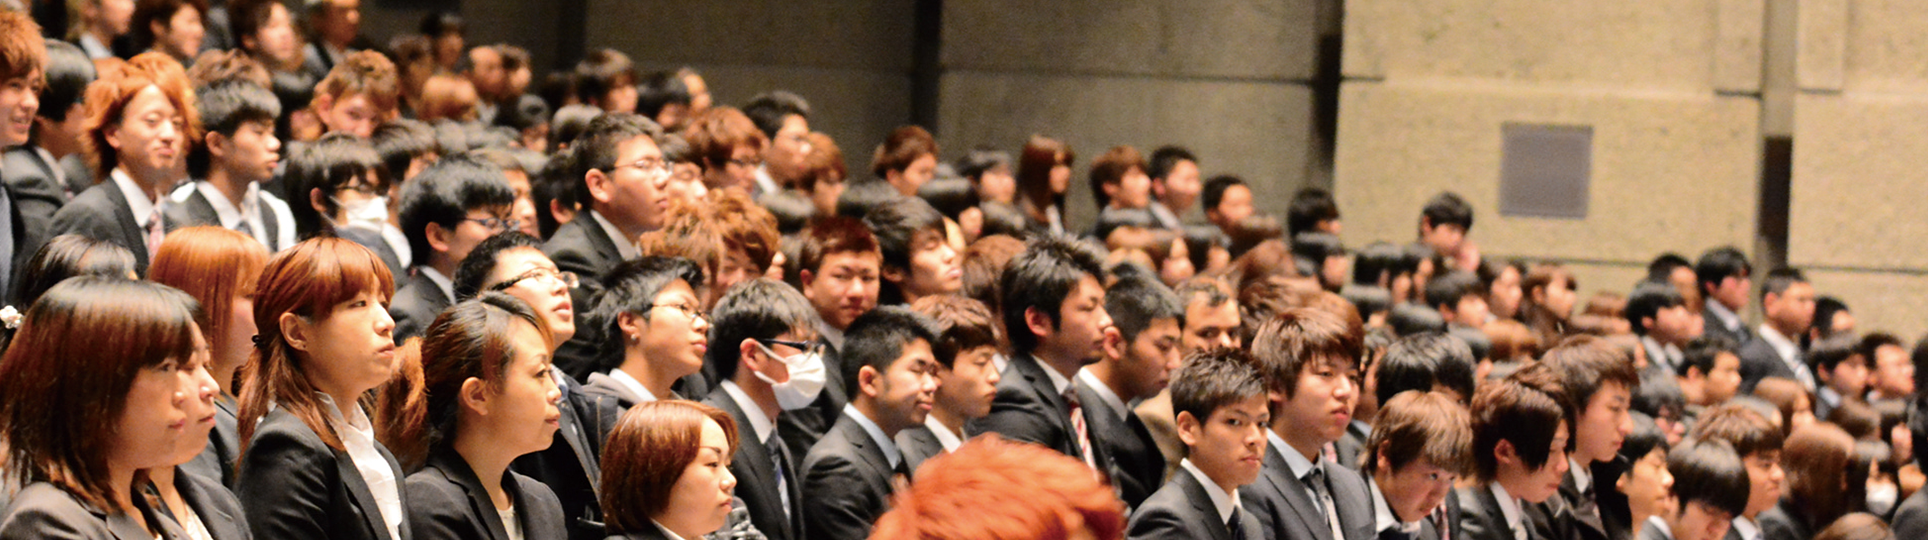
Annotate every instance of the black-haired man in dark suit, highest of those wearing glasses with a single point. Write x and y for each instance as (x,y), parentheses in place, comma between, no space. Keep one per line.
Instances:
(622,184)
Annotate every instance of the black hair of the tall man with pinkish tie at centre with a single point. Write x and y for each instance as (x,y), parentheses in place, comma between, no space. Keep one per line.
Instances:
(1042,279)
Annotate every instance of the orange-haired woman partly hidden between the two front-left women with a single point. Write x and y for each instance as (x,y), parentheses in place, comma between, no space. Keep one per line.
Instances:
(217,267)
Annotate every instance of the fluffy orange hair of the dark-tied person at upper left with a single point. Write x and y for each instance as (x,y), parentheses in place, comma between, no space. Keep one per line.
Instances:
(109,97)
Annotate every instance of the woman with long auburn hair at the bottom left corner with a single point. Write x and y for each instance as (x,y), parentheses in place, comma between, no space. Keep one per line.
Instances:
(103,381)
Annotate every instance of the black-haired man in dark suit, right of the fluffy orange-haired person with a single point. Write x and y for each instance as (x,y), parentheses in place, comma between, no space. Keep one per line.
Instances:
(238,153)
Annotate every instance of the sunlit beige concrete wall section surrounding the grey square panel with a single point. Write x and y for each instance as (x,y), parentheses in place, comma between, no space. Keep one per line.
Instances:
(1667,86)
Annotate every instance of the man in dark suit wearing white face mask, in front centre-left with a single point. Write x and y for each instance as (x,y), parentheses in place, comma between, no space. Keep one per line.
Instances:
(768,364)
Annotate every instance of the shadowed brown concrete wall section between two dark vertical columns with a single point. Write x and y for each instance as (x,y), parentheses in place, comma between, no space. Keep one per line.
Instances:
(1225,78)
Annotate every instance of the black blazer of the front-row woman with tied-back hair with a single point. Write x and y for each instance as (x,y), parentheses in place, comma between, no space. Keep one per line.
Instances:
(446,500)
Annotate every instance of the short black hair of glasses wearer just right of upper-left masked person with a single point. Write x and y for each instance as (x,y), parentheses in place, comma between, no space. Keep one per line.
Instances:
(444,196)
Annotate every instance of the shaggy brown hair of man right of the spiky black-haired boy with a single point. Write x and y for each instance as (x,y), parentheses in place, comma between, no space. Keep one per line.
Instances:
(1300,338)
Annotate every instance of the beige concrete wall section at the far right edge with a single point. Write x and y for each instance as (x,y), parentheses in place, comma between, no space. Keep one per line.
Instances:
(1861,126)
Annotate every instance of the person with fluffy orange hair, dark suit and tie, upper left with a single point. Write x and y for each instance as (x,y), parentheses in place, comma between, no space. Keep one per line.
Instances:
(140,121)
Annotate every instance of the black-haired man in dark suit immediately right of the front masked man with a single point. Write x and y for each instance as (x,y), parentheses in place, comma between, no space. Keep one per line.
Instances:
(894,379)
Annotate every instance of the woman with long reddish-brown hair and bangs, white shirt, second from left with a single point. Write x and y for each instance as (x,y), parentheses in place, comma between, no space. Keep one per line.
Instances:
(309,462)
